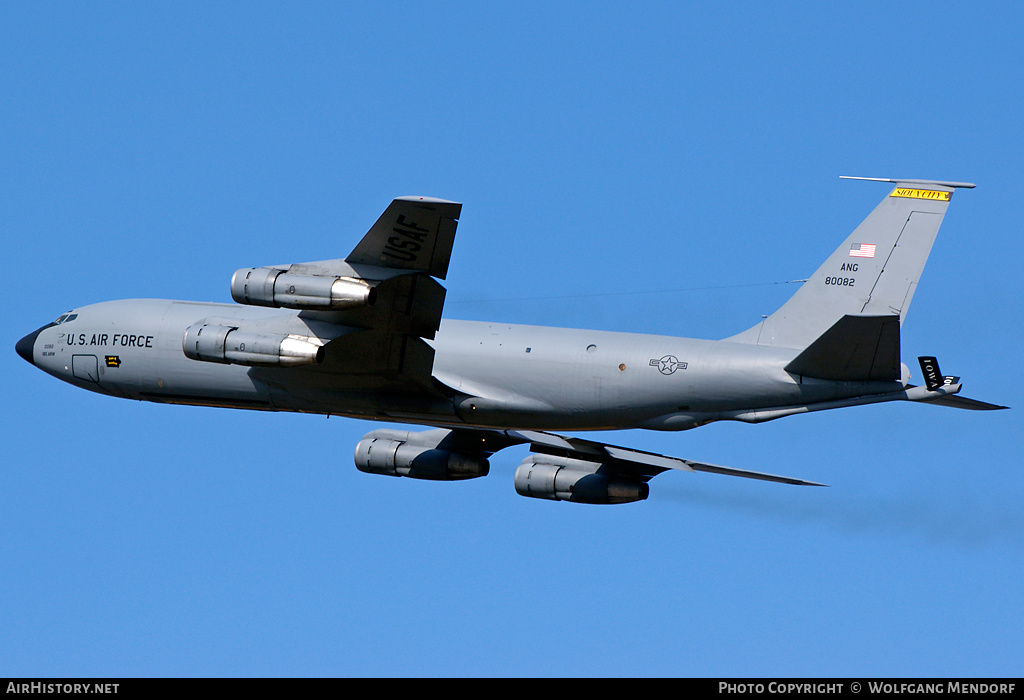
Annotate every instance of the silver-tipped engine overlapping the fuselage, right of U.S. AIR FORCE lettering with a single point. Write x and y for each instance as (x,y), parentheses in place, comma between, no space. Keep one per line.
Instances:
(214,343)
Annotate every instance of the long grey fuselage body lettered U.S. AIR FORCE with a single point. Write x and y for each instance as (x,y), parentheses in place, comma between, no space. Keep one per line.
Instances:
(486,374)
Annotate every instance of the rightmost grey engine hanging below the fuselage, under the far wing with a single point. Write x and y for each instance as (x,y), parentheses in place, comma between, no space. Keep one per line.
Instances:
(556,478)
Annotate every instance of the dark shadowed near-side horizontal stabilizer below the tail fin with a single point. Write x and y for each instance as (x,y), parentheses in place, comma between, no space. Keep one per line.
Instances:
(855,349)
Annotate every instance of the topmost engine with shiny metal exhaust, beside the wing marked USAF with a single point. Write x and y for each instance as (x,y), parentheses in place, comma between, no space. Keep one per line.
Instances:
(270,287)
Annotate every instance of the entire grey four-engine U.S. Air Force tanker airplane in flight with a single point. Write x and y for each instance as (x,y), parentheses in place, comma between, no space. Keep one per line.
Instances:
(363,337)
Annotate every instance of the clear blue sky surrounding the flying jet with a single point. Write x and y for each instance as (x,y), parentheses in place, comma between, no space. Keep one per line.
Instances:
(649,167)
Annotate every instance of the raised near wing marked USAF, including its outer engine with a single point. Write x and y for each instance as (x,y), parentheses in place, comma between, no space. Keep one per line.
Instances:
(371,311)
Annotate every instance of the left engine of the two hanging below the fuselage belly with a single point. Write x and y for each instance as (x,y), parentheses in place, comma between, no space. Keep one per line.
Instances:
(397,458)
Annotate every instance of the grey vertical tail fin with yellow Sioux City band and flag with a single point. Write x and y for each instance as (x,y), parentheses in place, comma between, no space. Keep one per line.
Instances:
(874,274)
